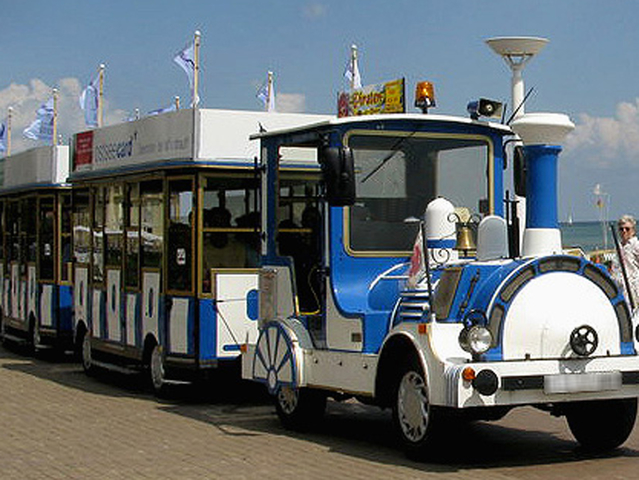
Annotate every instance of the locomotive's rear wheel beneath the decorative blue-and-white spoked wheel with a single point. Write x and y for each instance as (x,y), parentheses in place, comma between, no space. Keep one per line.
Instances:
(300,408)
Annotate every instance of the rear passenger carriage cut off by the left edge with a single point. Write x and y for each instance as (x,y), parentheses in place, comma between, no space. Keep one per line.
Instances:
(35,249)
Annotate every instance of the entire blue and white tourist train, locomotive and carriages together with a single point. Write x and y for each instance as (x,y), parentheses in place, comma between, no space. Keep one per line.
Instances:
(375,256)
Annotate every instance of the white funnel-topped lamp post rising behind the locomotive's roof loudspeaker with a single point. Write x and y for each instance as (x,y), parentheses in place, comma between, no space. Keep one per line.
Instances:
(517,52)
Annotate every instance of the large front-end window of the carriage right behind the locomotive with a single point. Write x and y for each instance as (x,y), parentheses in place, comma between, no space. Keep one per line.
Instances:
(231,224)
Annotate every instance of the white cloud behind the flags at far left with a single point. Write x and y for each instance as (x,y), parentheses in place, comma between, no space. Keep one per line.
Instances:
(25,100)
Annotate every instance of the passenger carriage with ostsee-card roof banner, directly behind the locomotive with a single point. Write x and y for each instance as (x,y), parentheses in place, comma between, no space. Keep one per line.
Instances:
(166,229)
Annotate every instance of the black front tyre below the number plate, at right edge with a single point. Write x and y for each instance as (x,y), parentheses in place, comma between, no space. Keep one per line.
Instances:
(602,425)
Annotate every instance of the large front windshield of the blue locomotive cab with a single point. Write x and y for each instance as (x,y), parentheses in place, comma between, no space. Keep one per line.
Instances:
(396,178)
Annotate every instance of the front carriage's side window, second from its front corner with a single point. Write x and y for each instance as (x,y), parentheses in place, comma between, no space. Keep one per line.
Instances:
(152,222)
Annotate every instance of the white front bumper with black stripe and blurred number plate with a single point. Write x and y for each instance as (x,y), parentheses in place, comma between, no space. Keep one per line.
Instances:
(542,381)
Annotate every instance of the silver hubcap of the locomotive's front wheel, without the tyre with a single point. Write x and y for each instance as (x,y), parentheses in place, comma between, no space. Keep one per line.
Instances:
(412,406)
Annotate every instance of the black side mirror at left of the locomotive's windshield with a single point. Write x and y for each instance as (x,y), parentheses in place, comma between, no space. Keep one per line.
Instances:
(338,169)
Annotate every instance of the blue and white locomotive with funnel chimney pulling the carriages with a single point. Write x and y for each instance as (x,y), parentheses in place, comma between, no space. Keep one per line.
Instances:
(346,310)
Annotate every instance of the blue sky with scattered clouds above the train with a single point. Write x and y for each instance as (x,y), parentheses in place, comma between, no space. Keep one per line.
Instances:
(589,69)
